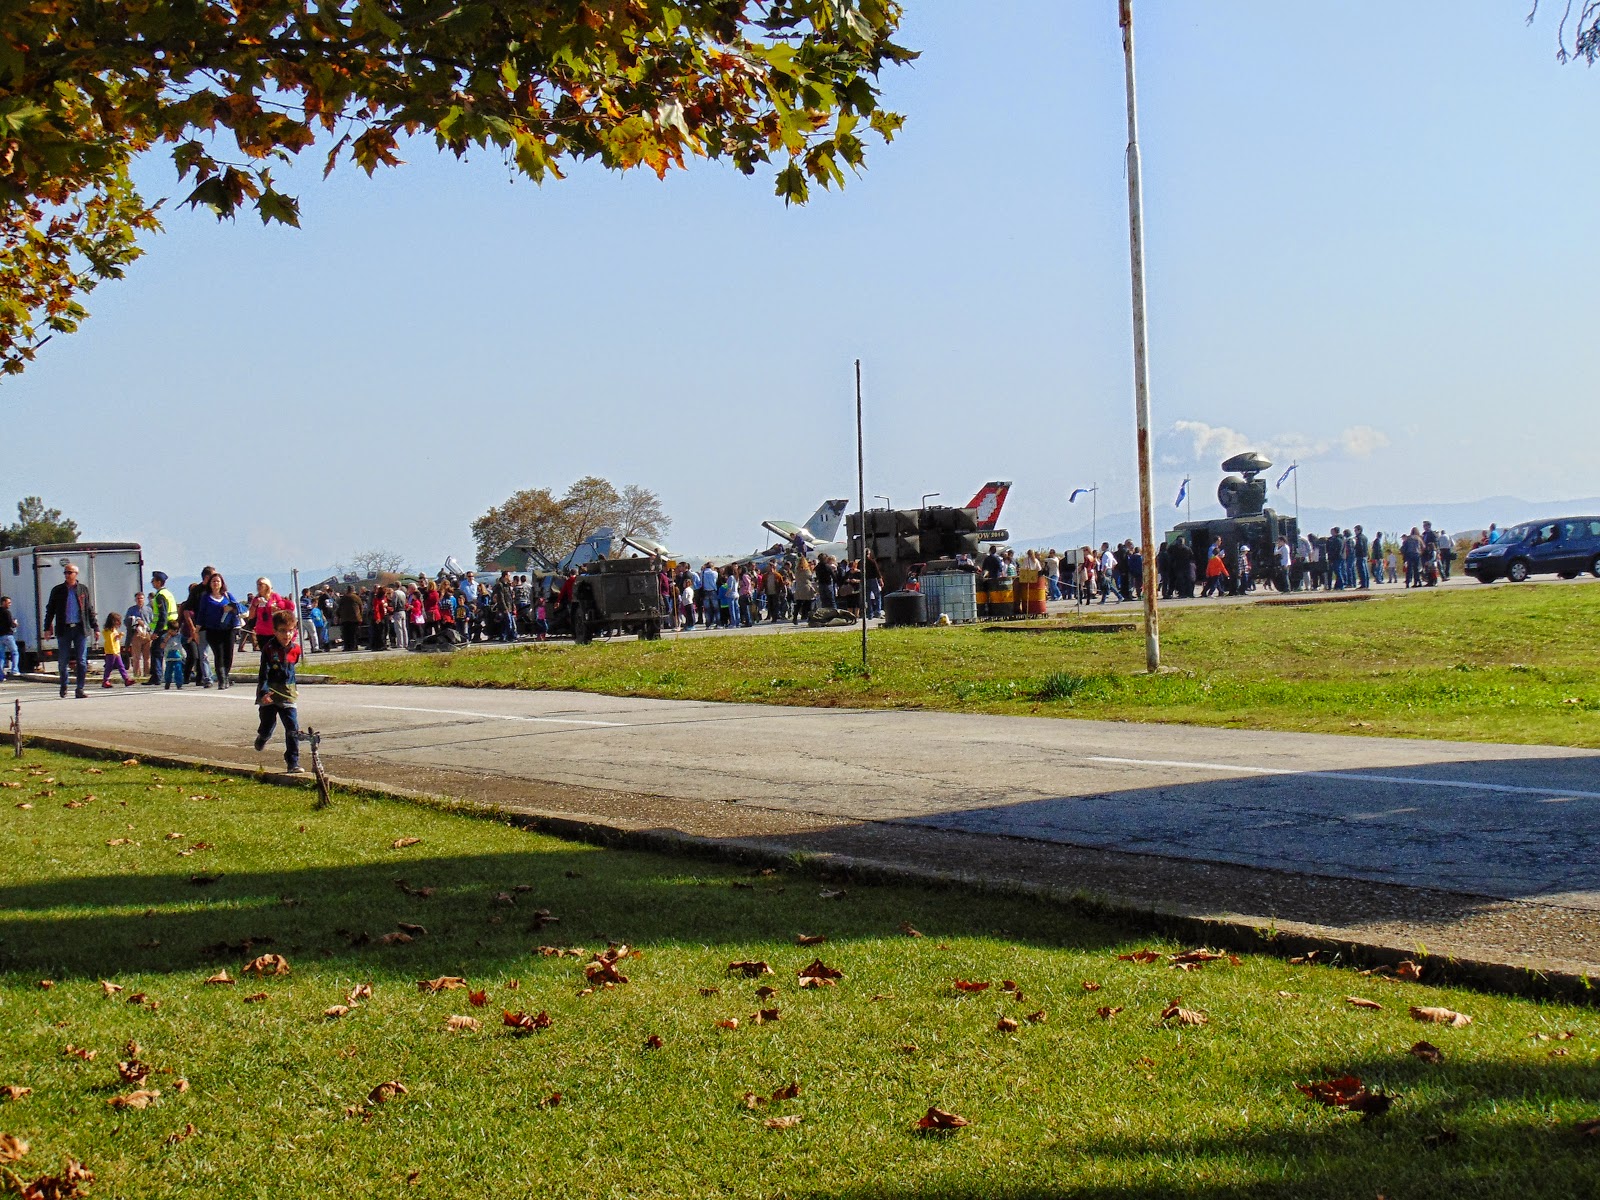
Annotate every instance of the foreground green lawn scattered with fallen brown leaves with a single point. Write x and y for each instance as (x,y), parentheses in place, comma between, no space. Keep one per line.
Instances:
(276,1090)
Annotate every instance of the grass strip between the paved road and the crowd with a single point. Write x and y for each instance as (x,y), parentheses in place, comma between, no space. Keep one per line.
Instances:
(1511,665)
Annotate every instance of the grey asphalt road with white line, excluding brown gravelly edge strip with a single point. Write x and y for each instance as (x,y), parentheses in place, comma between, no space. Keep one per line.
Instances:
(1516,823)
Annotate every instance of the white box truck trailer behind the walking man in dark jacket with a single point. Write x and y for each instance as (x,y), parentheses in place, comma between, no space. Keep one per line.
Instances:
(114,574)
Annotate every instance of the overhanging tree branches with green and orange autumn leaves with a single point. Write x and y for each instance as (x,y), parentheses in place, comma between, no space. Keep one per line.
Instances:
(86,86)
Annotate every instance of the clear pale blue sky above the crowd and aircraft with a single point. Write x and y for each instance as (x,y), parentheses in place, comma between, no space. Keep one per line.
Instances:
(1369,234)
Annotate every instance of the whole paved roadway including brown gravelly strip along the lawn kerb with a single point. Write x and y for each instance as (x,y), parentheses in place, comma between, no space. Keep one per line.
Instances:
(772,785)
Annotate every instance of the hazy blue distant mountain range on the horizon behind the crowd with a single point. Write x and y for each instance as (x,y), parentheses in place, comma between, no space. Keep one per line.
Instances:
(1460,518)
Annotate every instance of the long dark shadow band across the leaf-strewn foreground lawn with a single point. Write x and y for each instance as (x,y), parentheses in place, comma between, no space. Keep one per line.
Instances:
(481,911)
